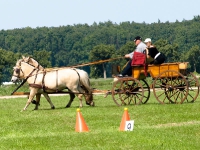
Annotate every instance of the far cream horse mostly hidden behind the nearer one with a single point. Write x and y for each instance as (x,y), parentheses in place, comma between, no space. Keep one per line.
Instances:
(82,73)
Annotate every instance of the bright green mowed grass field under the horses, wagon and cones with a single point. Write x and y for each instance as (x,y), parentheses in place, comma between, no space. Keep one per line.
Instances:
(157,127)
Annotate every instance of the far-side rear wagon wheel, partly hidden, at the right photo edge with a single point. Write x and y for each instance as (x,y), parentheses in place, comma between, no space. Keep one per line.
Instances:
(193,84)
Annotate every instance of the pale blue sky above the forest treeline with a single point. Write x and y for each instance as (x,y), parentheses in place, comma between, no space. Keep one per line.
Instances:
(55,13)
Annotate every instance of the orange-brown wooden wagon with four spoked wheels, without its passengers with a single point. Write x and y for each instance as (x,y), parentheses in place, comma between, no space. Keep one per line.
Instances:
(170,83)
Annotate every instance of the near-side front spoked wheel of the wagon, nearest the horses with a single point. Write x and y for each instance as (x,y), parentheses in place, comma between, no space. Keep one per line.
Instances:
(127,90)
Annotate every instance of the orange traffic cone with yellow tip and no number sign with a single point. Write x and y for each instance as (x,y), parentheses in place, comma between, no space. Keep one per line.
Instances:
(80,123)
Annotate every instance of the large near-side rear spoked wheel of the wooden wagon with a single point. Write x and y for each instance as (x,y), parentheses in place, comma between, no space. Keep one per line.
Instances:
(170,87)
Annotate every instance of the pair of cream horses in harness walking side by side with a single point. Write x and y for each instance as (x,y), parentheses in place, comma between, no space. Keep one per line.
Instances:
(42,81)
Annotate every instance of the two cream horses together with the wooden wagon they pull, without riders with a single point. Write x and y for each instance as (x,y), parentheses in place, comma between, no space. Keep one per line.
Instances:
(170,82)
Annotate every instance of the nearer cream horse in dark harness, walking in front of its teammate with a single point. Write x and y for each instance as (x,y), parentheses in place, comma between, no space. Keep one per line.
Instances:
(42,82)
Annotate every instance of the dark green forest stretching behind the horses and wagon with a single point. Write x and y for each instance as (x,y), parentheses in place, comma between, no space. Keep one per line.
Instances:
(82,43)
